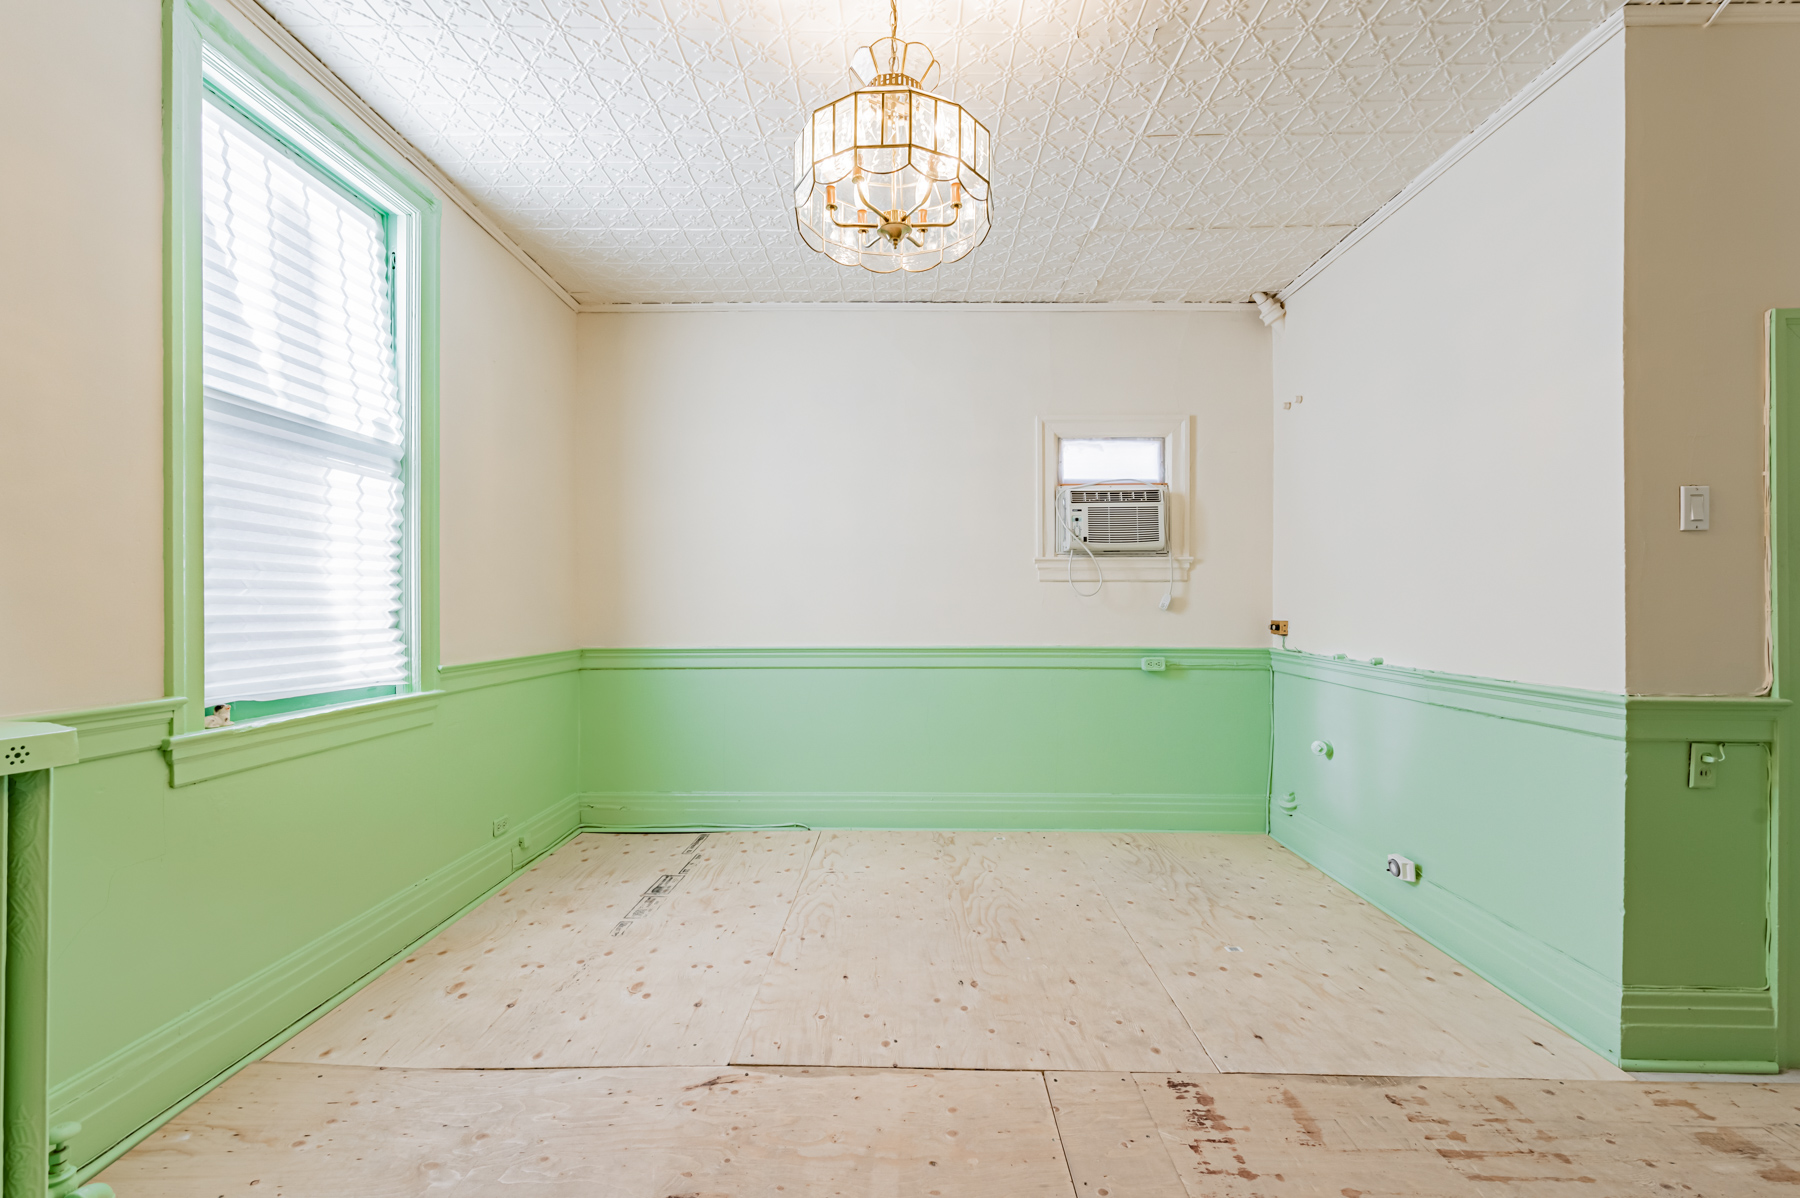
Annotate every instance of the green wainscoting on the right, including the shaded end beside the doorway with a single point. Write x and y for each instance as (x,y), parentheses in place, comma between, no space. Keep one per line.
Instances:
(1563,854)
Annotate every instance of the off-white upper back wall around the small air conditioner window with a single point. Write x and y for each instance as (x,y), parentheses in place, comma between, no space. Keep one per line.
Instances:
(867,478)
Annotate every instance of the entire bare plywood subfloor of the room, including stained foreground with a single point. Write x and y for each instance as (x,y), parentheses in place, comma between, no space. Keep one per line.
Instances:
(940,1015)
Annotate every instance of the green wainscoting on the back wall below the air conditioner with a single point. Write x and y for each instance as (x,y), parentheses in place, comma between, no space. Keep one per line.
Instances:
(926,738)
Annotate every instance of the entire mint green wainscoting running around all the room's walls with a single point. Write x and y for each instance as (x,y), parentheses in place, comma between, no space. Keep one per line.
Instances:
(1563,854)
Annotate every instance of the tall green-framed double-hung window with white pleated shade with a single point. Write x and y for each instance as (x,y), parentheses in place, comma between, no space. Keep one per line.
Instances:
(300,389)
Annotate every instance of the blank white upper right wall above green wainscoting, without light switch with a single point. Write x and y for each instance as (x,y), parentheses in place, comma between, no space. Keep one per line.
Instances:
(1450,496)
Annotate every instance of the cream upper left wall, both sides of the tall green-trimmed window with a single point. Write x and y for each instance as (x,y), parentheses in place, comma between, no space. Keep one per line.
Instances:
(82,393)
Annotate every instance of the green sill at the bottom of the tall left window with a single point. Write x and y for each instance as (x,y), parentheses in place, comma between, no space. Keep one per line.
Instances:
(215,753)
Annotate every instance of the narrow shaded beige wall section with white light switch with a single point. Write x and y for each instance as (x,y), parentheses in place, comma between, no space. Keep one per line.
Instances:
(1713,175)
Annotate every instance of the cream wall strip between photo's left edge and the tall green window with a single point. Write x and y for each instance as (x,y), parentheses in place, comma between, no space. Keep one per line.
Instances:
(82,357)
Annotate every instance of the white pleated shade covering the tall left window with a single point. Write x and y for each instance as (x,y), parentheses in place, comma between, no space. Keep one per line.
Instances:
(305,431)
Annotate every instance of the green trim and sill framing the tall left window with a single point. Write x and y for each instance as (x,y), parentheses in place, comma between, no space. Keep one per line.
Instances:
(199,40)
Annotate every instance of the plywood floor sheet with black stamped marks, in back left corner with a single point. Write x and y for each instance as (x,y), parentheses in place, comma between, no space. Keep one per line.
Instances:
(613,951)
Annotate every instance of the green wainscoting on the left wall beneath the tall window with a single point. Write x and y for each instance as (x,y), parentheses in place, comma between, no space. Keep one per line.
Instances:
(197,924)
